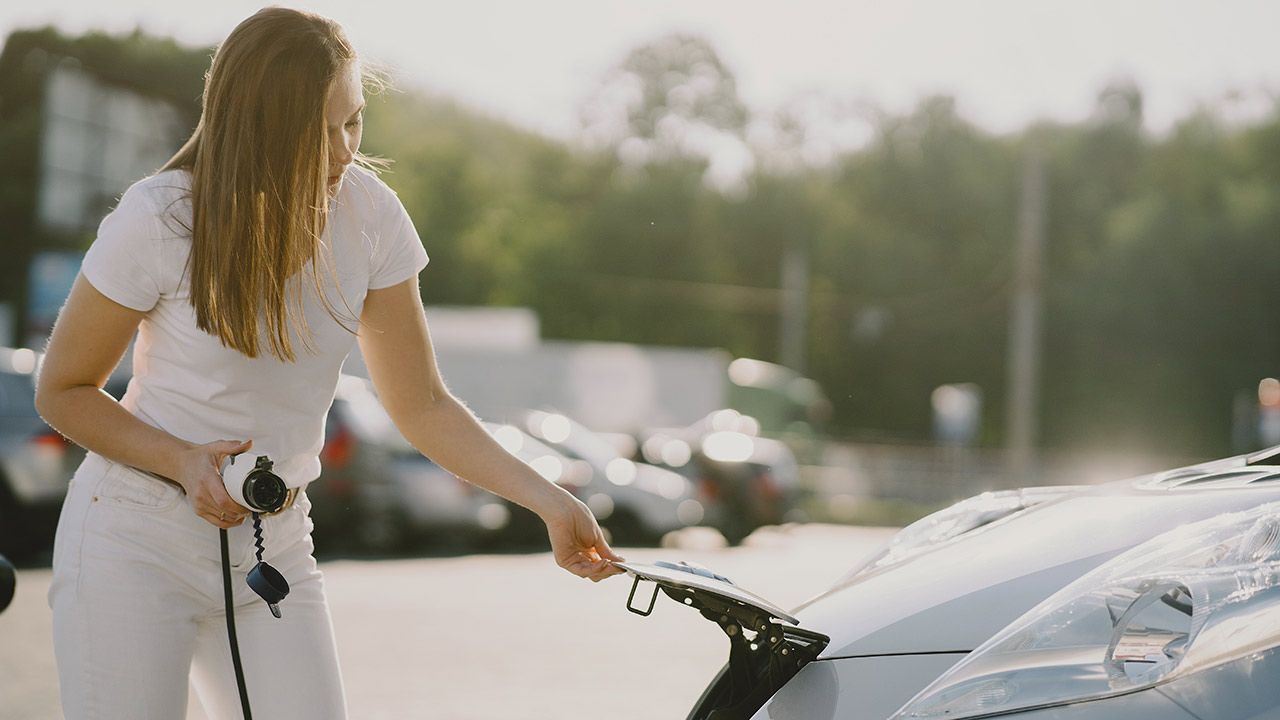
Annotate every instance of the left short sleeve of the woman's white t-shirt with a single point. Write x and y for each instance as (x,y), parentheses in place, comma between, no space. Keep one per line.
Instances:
(124,261)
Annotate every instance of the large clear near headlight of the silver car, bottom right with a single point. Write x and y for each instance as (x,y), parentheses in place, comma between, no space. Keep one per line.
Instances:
(1191,599)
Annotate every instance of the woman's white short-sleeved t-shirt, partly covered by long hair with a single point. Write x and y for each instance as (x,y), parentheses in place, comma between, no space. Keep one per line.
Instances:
(185,381)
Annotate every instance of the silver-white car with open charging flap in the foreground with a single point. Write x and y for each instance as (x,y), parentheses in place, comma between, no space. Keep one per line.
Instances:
(1156,598)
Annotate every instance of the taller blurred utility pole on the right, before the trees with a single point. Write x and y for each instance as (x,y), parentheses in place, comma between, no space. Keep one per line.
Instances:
(1026,311)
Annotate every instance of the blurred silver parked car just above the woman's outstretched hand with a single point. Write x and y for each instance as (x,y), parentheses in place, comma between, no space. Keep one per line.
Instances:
(636,504)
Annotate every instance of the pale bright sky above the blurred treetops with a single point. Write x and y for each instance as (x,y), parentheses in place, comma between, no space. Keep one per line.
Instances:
(1007,61)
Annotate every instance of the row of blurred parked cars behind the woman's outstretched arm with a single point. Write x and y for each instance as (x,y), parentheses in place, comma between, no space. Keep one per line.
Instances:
(378,494)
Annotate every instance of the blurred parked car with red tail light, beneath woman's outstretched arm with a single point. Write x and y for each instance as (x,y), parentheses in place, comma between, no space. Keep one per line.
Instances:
(377,494)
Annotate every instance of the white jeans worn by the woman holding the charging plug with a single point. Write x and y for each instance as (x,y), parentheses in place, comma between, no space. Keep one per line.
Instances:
(138,600)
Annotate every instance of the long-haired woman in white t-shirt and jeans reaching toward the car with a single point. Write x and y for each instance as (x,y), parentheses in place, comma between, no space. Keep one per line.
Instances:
(250,266)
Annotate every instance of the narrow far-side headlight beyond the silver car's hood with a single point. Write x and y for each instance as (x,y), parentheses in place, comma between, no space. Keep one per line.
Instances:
(950,523)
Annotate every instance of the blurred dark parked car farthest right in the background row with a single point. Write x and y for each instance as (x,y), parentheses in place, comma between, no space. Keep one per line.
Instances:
(746,481)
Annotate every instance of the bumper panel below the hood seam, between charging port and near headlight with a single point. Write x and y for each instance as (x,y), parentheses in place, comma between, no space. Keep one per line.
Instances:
(856,689)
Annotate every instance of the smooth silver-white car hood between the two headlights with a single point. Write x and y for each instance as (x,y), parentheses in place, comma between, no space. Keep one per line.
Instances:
(954,598)
